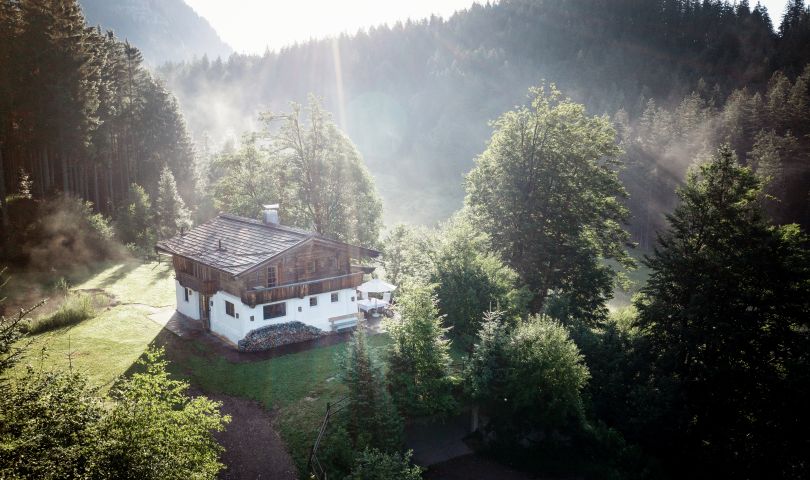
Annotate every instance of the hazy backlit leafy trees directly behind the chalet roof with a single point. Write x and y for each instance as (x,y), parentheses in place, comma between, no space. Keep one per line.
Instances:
(310,168)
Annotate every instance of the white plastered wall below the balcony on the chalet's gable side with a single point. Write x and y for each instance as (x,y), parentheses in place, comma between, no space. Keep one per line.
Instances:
(234,329)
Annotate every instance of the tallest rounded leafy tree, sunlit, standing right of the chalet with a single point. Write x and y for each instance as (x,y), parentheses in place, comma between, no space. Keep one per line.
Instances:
(547,191)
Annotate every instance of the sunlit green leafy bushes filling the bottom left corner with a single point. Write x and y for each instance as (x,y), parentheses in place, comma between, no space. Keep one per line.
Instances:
(54,425)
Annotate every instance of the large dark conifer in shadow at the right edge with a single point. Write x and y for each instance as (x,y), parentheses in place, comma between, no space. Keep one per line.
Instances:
(726,313)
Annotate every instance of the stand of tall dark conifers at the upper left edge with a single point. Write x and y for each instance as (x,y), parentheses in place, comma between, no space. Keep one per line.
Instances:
(81,116)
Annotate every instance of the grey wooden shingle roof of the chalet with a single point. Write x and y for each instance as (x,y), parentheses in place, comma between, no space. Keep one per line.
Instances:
(235,244)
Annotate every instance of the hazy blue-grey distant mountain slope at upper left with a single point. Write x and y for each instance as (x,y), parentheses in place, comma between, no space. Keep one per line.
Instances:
(164,30)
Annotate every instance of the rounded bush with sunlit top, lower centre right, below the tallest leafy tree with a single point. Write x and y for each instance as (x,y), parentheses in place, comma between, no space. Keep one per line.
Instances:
(529,380)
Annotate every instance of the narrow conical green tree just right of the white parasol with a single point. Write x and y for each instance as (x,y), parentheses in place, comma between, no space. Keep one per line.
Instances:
(419,360)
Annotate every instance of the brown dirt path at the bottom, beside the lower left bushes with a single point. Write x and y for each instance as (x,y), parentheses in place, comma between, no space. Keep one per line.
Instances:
(253,449)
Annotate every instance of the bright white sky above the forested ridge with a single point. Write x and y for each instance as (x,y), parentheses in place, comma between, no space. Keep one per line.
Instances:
(250,26)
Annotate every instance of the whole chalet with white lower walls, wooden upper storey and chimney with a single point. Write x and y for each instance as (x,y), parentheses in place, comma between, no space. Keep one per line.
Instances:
(253,282)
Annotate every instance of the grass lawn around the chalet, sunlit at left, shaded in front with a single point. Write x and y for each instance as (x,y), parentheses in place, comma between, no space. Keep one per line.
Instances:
(296,387)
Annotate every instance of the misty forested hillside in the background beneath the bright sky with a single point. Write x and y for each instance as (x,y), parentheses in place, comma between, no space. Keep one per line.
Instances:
(416,97)
